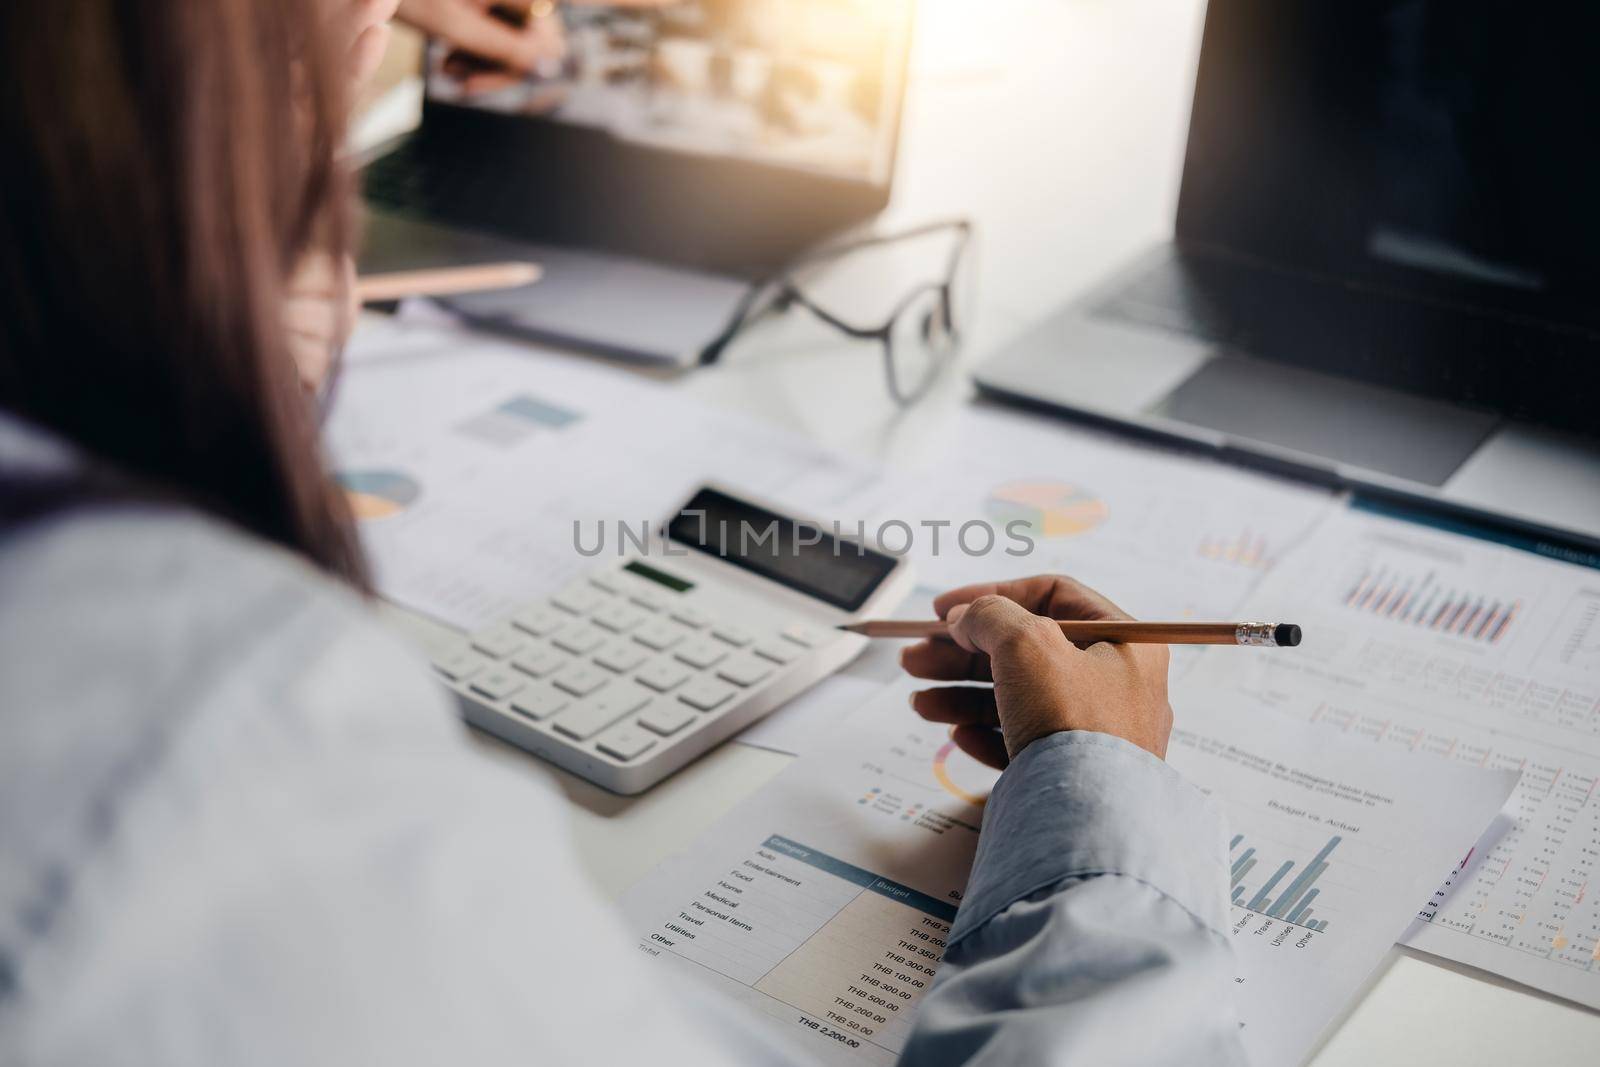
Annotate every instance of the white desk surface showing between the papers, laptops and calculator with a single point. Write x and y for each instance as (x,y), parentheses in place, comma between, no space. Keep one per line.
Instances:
(1060,127)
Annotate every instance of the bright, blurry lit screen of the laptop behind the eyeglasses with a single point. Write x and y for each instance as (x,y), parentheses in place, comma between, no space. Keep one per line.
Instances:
(812,86)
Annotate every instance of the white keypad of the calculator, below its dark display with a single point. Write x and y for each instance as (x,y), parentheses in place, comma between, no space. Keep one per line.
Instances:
(622,669)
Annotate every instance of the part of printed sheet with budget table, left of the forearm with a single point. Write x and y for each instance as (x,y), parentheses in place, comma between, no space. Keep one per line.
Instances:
(823,903)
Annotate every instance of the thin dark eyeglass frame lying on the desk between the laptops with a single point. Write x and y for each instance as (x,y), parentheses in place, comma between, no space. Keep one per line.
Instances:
(790,294)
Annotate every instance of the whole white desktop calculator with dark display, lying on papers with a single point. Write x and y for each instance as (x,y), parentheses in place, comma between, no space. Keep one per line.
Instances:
(657,657)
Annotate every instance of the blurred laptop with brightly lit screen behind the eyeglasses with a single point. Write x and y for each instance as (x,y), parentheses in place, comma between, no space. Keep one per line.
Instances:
(678,154)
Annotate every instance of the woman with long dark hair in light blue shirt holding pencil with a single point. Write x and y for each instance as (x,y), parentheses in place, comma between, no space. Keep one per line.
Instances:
(239,823)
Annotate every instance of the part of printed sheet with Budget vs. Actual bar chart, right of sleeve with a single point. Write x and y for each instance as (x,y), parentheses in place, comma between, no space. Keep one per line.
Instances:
(1330,847)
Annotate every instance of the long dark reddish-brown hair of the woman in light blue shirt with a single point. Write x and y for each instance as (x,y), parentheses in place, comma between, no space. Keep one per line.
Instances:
(164,167)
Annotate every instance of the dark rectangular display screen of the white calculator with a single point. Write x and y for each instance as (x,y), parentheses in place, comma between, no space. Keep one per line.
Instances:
(801,556)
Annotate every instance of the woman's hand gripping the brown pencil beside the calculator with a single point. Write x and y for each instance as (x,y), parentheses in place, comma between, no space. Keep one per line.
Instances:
(1042,684)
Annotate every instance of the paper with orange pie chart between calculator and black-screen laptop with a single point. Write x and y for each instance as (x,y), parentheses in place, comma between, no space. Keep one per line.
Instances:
(1164,535)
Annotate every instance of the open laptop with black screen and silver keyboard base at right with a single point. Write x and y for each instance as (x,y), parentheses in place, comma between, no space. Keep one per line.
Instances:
(1386,265)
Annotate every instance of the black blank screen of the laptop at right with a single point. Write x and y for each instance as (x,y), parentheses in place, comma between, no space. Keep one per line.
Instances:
(1422,146)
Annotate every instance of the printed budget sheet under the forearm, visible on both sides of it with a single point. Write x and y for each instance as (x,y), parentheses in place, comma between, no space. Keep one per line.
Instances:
(823,905)
